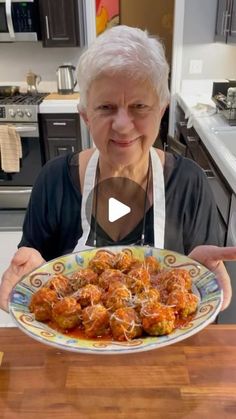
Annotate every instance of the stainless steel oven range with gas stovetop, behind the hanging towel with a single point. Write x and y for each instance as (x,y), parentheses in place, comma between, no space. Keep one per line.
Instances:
(21,110)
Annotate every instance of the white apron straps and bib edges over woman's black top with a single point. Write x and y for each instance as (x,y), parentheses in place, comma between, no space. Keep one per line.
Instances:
(158,200)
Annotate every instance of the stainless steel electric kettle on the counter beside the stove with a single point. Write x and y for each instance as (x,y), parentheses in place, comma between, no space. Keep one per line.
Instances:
(65,79)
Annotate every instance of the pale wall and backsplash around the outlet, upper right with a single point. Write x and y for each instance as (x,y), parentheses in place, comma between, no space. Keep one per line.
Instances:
(219,60)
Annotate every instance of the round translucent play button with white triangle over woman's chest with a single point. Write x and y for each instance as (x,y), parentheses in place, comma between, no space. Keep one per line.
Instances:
(117,206)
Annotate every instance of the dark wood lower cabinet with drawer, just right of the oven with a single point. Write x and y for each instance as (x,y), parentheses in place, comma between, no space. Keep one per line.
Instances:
(61,134)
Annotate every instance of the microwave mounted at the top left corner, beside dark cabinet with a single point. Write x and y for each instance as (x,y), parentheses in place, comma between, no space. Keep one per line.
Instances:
(19,21)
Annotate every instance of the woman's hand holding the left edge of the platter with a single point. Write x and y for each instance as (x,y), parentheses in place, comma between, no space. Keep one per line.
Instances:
(25,260)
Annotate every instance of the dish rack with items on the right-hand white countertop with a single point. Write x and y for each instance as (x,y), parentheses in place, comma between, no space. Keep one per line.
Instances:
(224,96)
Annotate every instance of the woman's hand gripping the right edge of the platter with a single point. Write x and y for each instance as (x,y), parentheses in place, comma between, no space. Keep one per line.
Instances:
(212,257)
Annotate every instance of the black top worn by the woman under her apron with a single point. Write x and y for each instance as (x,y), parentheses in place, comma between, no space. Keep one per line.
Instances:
(52,223)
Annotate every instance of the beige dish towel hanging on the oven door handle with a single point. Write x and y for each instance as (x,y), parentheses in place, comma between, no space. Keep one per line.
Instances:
(10,149)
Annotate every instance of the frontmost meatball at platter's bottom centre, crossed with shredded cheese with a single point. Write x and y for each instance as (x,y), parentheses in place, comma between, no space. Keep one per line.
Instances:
(125,324)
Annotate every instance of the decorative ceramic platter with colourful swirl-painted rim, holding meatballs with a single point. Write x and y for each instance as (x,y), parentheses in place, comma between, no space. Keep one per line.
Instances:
(205,285)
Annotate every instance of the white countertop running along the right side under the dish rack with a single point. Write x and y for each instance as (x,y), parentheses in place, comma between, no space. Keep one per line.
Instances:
(206,127)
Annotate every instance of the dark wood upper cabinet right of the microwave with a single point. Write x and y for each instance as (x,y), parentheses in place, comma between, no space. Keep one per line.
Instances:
(61,23)
